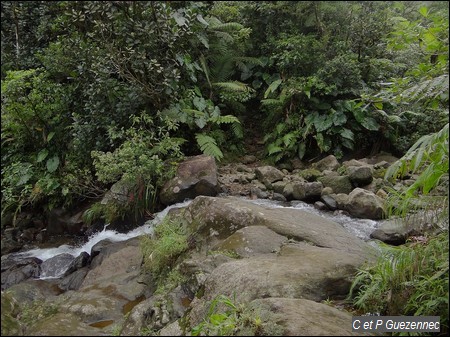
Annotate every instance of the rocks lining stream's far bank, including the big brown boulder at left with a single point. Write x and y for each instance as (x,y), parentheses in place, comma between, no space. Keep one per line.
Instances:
(355,186)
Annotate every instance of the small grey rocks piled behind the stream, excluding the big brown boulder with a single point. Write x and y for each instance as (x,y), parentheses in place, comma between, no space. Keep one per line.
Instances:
(355,186)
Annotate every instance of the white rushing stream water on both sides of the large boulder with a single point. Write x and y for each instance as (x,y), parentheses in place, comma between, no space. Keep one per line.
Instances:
(56,260)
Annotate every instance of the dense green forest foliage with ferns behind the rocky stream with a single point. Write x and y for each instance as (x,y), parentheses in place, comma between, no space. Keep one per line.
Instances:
(98,92)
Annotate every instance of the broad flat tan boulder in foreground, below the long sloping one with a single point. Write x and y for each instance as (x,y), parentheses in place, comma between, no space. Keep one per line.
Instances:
(299,270)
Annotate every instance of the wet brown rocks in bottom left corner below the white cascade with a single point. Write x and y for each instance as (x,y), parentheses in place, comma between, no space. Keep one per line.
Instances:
(94,291)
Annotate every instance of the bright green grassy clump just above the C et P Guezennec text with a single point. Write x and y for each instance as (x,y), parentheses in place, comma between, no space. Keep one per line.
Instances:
(410,280)
